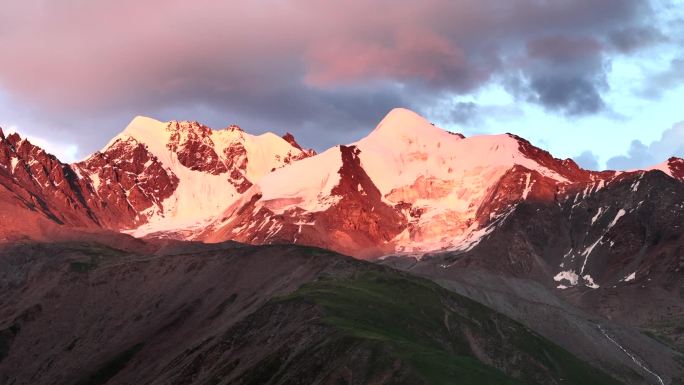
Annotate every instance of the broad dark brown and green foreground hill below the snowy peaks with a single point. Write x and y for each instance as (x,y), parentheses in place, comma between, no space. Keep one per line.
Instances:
(86,313)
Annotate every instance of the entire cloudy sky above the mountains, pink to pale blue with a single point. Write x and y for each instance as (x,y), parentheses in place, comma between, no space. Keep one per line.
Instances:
(598,81)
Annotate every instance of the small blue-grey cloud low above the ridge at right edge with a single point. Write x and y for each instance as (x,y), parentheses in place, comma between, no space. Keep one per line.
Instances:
(639,155)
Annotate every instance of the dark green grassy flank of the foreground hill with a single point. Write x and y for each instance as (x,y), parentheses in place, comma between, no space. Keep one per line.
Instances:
(445,338)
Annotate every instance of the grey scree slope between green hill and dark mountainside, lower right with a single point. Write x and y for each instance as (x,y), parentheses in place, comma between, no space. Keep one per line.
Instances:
(608,344)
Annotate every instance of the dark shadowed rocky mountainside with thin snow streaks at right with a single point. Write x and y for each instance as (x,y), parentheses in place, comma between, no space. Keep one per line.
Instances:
(628,231)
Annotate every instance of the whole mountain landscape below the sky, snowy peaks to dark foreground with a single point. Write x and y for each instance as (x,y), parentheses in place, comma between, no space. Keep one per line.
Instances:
(490,248)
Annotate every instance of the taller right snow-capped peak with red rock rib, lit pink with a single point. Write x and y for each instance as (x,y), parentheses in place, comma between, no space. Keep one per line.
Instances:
(408,187)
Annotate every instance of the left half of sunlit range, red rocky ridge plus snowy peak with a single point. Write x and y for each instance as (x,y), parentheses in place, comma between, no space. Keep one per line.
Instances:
(152,176)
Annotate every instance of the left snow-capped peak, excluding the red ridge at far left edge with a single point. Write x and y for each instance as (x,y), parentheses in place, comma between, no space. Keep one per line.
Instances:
(179,174)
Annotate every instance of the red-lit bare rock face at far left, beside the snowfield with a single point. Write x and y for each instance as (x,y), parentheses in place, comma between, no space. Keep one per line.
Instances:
(107,190)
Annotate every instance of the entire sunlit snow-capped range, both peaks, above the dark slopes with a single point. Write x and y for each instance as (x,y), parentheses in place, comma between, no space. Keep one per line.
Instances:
(408,187)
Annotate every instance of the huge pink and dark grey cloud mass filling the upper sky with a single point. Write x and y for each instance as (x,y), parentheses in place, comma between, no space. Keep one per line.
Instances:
(303,65)
